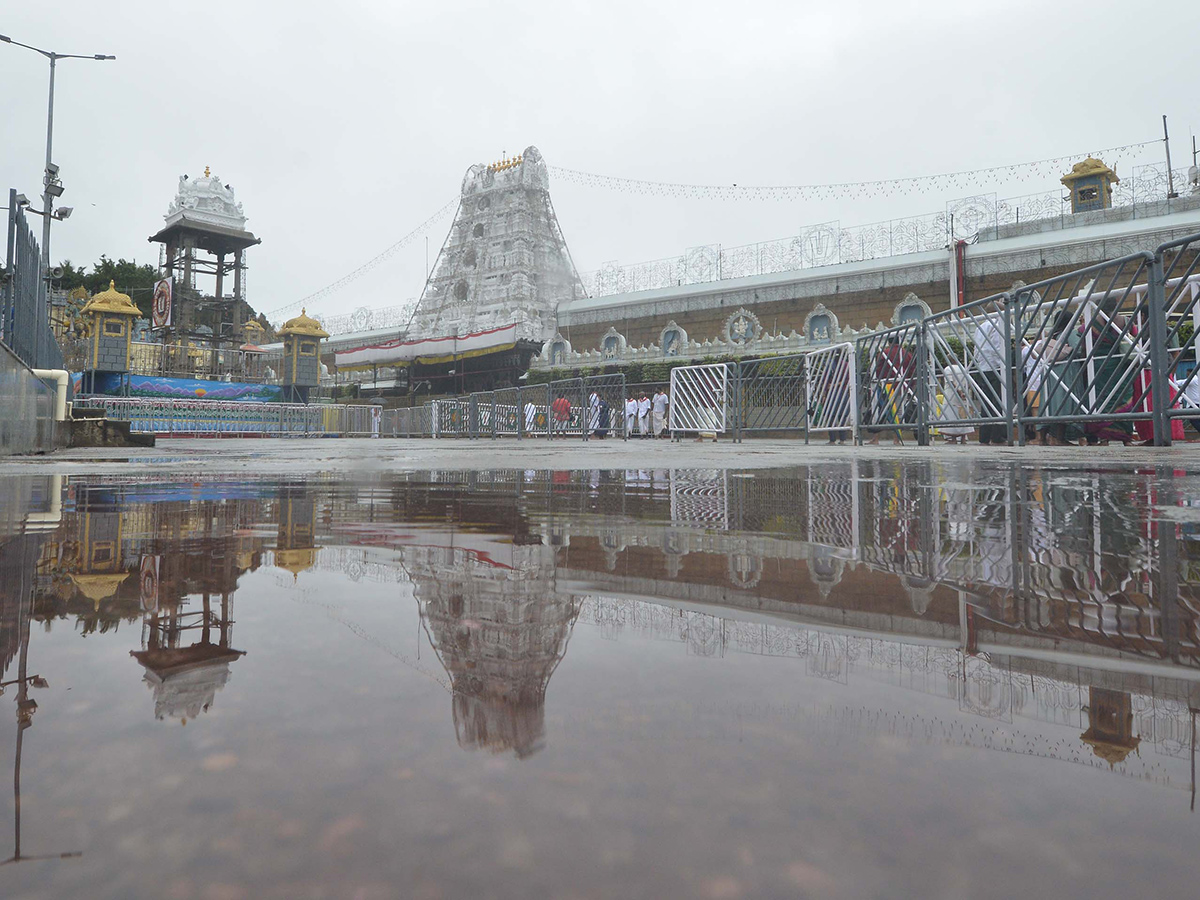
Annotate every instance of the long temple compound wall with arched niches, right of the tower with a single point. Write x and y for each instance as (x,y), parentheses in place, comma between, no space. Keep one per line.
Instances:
(794,310)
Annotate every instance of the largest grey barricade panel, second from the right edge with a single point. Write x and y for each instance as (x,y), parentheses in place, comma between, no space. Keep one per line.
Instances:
(1087,352)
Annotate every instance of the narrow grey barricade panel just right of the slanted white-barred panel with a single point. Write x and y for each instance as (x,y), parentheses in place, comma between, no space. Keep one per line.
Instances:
(890,373)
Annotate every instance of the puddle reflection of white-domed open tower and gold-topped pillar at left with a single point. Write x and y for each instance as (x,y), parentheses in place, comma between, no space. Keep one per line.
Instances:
(167,554)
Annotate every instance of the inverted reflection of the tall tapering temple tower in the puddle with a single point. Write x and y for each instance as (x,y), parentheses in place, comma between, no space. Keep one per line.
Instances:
(500,631)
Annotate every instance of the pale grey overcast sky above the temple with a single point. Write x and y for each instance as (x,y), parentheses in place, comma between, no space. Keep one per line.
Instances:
(343,127)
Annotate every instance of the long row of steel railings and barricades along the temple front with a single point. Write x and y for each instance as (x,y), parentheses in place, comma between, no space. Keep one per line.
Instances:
(1105,353)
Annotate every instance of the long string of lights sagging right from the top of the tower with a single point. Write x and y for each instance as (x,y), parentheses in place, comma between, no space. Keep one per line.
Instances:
(847,190)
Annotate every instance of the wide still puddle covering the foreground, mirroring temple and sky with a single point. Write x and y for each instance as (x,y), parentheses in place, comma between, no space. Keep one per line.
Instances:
(862,680)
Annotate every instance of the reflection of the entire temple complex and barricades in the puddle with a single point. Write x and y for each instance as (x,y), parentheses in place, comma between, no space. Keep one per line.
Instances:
(1028,599)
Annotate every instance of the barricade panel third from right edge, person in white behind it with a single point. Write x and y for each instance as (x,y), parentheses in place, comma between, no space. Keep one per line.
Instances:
(969,370)
